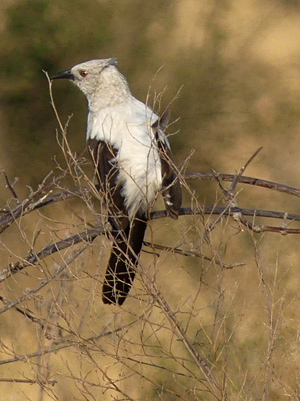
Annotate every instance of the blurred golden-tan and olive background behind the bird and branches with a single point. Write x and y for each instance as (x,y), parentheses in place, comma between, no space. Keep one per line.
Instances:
(191,329)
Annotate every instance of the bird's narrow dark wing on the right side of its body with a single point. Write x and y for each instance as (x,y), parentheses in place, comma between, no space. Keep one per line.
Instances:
(171,189)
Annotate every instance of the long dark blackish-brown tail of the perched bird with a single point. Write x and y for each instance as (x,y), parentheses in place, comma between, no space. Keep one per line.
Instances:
(120,271)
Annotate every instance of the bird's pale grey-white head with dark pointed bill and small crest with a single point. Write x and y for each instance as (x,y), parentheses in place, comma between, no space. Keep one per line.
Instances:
(96,77)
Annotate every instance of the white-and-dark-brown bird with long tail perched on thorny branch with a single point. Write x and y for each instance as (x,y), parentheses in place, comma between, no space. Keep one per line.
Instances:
(133,164)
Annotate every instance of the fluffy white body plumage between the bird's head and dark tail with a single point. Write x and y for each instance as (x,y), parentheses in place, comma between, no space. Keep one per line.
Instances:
(127,127)
